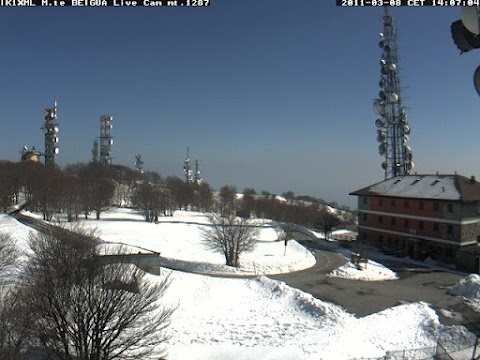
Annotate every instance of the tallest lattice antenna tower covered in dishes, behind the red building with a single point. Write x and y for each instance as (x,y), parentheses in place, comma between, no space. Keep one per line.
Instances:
(392,126)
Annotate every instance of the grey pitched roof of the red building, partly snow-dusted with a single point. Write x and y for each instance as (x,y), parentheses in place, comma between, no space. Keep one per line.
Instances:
(440,187)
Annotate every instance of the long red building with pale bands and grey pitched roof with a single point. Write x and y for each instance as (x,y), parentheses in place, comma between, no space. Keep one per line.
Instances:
(422,216)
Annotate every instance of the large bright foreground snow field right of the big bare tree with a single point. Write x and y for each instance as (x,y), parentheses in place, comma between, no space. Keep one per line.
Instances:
(266,319)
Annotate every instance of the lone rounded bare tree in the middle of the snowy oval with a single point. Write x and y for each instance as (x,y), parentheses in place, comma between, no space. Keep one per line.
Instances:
(230,236)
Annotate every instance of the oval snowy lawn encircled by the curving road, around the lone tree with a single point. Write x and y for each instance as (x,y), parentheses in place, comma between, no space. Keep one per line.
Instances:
(178,239)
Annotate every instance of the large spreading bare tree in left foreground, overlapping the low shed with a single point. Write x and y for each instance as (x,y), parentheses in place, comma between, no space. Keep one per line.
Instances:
(86,309)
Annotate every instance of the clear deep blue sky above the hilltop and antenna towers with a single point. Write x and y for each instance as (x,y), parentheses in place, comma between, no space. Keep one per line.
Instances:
(271,94)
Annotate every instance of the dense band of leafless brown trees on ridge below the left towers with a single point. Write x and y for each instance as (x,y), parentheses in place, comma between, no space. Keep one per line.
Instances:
(84,188)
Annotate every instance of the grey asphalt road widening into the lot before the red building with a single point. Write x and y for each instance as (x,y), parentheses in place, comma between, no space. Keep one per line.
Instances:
(368,297)
